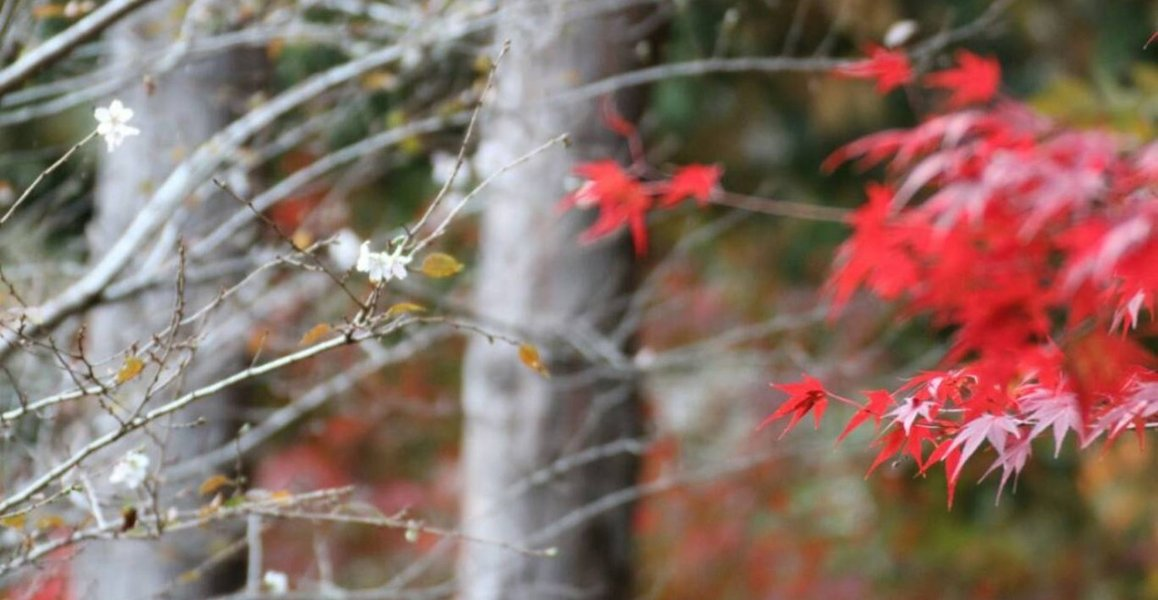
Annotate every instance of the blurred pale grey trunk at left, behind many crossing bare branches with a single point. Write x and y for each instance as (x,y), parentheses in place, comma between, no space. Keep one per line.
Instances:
(175,114)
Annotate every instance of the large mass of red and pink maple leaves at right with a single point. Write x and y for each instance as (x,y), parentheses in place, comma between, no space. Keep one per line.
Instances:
(1035,245)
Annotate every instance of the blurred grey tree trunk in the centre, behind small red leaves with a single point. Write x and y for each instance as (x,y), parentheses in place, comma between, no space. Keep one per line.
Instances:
(536,277)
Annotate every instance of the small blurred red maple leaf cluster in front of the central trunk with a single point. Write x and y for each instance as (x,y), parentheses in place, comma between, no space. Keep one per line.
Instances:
(625,199)
